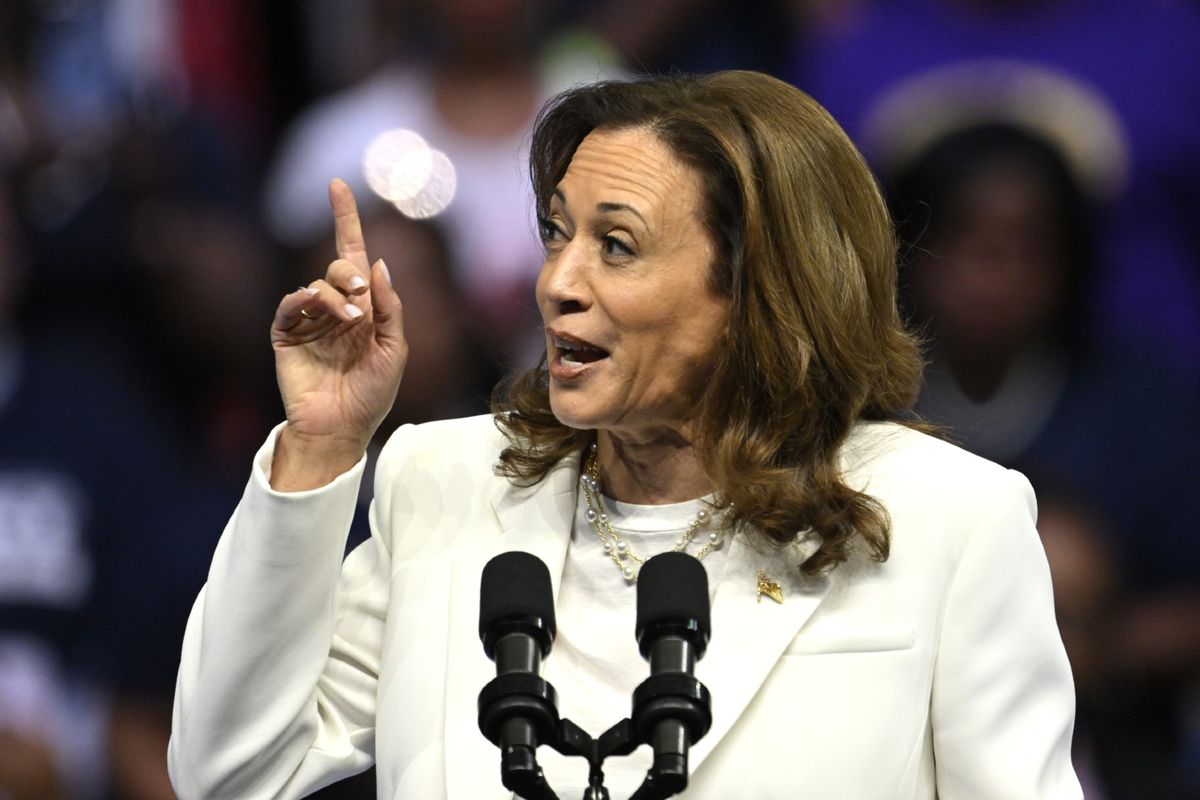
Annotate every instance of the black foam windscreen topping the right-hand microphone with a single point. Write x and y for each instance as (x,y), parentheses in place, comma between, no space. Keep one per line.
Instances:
(673,590)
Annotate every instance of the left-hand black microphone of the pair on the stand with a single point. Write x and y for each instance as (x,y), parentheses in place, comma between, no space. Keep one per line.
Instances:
(518,711)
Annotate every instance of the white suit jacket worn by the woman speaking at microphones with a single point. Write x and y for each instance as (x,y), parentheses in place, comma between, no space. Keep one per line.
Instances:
(938,673)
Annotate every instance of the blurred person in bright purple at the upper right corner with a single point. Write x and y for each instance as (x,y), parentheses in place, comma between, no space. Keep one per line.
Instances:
(1136,101)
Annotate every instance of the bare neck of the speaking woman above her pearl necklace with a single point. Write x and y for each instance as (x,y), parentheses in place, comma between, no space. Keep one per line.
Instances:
(651,472)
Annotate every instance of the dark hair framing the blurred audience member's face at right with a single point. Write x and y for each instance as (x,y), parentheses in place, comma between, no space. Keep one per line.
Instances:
(927,201)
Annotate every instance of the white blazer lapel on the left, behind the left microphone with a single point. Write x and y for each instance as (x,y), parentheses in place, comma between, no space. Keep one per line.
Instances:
(538,521)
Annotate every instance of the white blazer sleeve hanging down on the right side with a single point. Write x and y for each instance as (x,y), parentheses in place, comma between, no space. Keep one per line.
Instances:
(1004,701)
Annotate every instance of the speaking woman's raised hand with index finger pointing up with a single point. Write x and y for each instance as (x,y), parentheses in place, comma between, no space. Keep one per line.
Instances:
(340,353)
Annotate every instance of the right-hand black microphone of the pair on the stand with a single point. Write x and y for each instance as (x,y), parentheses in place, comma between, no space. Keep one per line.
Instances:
(673,711)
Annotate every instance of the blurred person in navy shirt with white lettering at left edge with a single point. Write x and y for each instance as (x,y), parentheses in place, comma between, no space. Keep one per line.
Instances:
(80,458)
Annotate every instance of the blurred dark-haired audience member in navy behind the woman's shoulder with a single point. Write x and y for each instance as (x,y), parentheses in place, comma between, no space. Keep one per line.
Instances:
(1001,254)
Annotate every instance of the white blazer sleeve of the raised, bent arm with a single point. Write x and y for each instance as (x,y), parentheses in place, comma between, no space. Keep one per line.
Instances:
(277,688)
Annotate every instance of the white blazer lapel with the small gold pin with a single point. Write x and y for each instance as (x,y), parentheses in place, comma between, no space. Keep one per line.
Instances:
(752,633)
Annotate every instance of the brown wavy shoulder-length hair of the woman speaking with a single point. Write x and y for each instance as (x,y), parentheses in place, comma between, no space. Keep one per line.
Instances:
(806,252)
